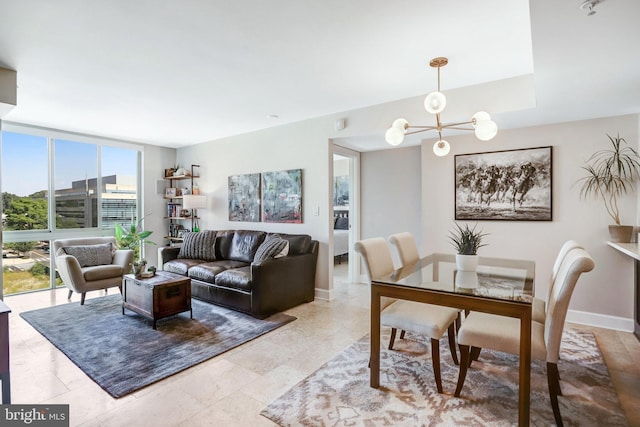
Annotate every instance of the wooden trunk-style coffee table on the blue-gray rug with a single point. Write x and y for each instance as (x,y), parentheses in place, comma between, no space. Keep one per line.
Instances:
(162,295)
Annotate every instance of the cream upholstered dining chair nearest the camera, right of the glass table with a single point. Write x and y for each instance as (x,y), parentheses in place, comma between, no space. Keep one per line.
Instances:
(482,330)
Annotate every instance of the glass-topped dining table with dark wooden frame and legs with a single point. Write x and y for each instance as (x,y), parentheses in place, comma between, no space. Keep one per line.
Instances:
(500,286)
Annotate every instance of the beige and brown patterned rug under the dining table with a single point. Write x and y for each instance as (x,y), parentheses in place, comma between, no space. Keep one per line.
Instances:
(338,394)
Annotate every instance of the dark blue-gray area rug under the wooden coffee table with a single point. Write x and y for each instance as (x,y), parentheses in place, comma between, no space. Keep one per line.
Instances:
(122,353)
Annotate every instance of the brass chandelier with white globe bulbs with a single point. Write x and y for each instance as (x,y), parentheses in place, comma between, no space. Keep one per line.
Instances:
(481,123)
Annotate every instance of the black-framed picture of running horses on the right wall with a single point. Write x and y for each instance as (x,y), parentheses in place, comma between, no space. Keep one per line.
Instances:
(513,185)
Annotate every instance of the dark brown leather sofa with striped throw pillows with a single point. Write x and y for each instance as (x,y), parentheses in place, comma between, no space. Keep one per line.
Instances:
(224,269)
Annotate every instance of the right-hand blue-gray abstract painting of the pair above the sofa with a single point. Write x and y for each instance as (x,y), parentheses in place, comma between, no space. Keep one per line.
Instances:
(282,196)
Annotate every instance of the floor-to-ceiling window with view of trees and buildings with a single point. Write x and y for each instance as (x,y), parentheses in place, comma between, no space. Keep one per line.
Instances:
(57,185)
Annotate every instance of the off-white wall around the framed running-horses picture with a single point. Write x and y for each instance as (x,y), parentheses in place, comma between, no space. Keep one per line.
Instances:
(605,295)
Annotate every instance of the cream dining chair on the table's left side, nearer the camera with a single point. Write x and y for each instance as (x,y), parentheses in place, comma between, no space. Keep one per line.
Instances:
(422,319)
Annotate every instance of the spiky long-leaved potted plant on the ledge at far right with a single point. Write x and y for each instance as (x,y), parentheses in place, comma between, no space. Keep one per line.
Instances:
(611,174)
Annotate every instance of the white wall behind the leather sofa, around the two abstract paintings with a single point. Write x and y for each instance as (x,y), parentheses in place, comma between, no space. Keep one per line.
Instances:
(303,145)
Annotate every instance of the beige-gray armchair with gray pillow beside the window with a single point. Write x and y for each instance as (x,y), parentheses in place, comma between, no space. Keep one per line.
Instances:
(91,263)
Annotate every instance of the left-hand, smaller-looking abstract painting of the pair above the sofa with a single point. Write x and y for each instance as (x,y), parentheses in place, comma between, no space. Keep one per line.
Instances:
(244,197)
